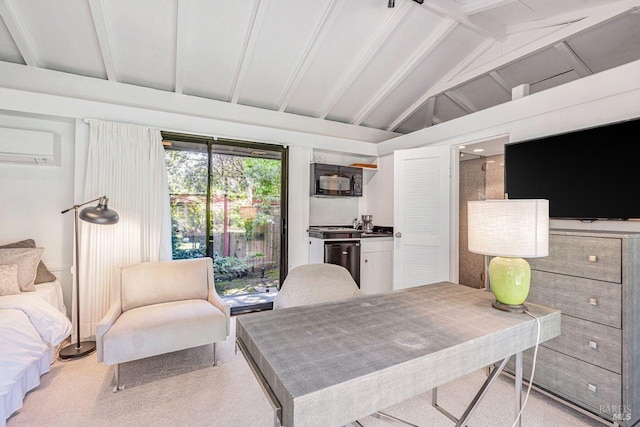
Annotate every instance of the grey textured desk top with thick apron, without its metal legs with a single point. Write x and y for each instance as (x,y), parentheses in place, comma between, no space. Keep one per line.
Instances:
(330,364)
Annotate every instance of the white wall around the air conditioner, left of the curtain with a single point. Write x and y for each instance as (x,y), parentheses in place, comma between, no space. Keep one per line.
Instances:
(34,195)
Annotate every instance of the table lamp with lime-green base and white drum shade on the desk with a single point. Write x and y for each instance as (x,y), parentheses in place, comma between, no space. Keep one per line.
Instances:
(509,230)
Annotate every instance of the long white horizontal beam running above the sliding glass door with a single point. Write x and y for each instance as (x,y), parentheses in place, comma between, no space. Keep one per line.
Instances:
(27,89)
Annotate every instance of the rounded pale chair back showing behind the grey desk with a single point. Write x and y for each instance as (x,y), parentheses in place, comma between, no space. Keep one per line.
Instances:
(316,283)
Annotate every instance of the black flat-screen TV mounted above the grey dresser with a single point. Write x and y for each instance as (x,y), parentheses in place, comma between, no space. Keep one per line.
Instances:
(588,174)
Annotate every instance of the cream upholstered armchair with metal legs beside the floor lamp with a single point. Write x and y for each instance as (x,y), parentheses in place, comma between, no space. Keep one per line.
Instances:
(161,307)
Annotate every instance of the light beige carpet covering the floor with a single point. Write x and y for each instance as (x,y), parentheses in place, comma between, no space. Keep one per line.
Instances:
(183,389)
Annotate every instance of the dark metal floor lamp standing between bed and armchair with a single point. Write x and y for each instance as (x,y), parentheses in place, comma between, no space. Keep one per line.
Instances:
(99,214)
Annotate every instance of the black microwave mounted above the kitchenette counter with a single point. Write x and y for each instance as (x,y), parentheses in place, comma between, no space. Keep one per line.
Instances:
(335,181)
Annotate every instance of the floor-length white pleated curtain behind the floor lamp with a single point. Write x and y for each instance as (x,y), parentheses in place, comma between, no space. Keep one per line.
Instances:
(126,163)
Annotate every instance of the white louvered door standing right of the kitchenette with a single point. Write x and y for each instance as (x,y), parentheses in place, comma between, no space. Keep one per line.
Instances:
(421,216)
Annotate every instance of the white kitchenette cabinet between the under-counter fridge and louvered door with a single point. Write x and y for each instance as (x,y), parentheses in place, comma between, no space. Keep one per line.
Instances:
(376,265)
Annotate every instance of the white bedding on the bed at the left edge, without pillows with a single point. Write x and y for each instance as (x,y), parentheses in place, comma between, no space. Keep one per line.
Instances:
(32,326)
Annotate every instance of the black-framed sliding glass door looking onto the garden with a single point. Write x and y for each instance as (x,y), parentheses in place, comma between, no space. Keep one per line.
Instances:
(228,202)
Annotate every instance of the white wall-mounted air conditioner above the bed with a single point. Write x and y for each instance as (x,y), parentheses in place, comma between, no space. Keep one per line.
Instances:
(30,147)
